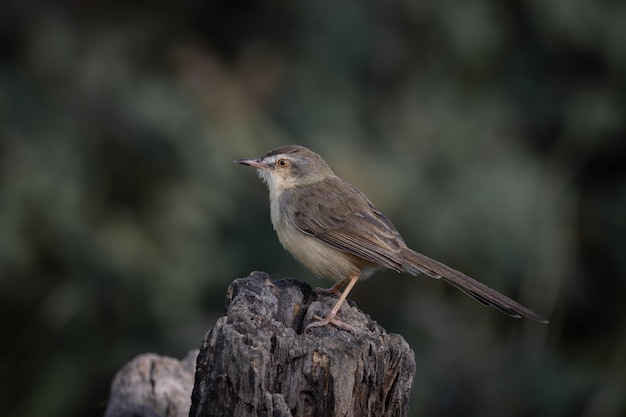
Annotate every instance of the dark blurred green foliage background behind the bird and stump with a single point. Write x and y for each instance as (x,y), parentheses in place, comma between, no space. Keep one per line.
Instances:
(491,133)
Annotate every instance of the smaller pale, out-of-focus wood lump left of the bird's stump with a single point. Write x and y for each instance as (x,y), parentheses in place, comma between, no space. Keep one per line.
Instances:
(153,386)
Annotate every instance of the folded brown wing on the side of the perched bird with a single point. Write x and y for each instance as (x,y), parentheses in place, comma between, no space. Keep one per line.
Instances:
(336,213)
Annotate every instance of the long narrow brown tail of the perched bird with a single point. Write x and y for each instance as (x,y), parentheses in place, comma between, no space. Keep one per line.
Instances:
(416,263)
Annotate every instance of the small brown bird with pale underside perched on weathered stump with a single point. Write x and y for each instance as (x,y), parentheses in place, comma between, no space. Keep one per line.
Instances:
(333,229)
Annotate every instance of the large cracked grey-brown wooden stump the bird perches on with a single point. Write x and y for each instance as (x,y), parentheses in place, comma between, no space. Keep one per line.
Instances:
(256,361)
